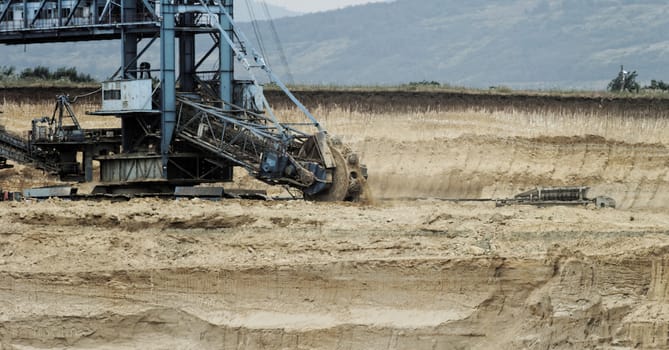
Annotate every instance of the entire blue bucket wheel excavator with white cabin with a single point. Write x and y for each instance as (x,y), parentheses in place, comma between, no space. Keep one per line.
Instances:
(188,125)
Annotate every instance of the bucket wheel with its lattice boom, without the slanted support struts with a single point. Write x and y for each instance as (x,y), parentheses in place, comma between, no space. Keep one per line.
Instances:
(317,164)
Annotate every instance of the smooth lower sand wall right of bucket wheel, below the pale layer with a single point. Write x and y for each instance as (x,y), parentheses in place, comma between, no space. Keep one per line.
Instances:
(636,175)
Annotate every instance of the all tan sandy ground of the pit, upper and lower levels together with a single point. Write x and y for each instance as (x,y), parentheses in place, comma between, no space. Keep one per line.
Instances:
(408,271)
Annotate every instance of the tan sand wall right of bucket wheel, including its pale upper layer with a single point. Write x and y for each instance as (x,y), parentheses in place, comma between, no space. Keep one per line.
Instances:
(497,155)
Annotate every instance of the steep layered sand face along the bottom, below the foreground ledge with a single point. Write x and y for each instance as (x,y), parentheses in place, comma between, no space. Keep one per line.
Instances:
(564,302)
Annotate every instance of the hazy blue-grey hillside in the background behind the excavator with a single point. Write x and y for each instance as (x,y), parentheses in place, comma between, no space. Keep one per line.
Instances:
(546,44)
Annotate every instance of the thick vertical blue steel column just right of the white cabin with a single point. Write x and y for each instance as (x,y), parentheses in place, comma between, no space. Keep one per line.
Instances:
(168,81)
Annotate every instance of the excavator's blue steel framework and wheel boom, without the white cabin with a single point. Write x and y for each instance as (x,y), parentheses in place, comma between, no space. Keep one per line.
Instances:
(203,131)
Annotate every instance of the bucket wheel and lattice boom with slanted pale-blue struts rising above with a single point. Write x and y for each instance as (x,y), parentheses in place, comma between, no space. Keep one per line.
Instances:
(251,136)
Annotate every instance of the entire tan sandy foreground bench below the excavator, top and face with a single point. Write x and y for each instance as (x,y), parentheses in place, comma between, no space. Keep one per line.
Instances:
(293,275)
